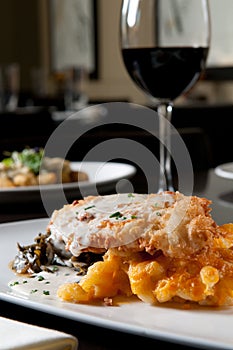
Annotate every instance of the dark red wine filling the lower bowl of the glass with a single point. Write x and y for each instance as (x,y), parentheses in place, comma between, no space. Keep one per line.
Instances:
(165,72)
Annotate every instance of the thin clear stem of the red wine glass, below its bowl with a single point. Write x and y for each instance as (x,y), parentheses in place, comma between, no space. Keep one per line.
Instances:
(165,114)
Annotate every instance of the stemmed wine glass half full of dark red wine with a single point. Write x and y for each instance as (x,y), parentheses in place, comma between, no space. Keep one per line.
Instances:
(164,47)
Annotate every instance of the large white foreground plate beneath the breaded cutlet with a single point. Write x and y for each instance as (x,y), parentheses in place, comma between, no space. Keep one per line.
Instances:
(200,327)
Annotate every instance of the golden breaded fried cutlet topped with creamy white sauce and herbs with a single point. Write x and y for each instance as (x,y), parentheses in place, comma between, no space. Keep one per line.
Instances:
(178,225)
